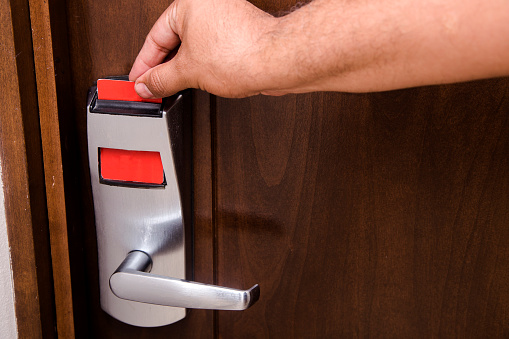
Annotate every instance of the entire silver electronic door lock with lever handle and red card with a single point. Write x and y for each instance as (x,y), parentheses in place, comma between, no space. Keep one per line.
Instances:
(134,159)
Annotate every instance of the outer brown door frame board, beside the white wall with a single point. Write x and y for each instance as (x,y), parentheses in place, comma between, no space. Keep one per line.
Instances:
(23,176)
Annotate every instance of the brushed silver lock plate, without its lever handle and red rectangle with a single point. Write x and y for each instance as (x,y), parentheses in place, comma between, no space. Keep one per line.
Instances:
(129,218)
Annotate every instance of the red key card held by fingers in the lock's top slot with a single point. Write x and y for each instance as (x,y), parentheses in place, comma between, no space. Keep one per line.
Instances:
(119,90)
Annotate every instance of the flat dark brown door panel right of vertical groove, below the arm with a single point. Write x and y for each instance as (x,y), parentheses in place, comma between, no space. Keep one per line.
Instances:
(380,215)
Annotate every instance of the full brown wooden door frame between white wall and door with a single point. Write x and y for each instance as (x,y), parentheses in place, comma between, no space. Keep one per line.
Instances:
(37,211)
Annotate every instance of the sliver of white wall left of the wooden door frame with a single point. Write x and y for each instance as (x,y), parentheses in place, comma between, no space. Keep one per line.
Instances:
(8,328)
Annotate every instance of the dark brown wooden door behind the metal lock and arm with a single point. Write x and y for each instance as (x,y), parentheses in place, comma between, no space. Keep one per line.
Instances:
(383,215)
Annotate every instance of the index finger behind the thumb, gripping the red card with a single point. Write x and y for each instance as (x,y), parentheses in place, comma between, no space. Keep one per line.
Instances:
(160,41)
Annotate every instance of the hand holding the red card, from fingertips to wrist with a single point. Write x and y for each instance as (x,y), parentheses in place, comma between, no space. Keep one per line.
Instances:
(215,45)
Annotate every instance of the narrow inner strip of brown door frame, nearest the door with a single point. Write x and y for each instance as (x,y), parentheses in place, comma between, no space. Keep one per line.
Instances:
(49,36)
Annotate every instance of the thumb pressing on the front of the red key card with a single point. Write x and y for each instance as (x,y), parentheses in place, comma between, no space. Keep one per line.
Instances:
(161,81)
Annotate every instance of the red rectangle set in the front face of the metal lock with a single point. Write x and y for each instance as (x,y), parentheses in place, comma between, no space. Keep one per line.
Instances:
(131,166)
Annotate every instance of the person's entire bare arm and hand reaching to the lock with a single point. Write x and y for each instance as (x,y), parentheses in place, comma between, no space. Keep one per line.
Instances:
(230,48)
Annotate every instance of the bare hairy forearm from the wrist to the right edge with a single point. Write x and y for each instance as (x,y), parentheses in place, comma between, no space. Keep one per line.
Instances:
(360,46)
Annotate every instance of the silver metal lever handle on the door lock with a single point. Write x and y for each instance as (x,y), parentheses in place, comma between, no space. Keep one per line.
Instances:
(132,282)
